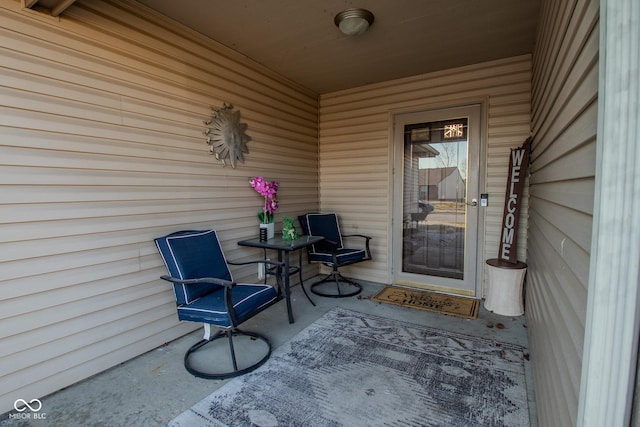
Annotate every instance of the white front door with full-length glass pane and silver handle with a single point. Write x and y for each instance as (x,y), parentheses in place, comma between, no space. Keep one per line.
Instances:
(435,214)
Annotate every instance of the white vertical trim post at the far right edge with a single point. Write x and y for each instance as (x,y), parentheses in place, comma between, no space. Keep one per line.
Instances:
(612,325)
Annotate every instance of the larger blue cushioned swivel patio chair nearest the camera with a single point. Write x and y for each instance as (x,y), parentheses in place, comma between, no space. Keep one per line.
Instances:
(205,292)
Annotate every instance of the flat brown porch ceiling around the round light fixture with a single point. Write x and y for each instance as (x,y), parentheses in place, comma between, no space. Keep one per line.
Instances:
(298,39)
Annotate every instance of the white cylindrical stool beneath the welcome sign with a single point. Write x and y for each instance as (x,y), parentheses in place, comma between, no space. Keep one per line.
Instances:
(504,288)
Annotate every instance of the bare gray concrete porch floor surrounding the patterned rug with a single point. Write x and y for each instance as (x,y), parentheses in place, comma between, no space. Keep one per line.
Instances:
(153,388)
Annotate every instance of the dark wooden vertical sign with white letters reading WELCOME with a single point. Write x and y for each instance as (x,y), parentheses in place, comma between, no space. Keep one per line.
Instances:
(518,168)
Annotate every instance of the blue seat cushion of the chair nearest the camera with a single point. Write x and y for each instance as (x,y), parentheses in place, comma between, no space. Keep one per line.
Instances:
(246,298)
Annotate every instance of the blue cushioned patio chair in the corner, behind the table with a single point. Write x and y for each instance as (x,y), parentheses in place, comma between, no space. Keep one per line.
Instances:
(332,252)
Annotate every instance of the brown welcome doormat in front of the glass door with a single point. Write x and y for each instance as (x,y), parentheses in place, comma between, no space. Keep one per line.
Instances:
(430,301)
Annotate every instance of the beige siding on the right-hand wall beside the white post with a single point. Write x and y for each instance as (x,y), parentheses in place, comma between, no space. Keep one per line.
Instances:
(564,117)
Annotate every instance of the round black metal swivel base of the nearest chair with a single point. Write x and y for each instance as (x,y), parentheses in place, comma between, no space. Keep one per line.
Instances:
(225,373)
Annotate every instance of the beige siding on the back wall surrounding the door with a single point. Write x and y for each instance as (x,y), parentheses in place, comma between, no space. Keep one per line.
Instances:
(356,148)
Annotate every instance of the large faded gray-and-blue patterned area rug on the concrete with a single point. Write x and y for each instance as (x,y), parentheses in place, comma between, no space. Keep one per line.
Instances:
(354,369)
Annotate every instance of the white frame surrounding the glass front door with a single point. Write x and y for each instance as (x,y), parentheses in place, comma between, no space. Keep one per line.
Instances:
(483,101)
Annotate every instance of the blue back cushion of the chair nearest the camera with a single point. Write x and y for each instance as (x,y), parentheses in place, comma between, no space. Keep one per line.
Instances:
(192,255)
